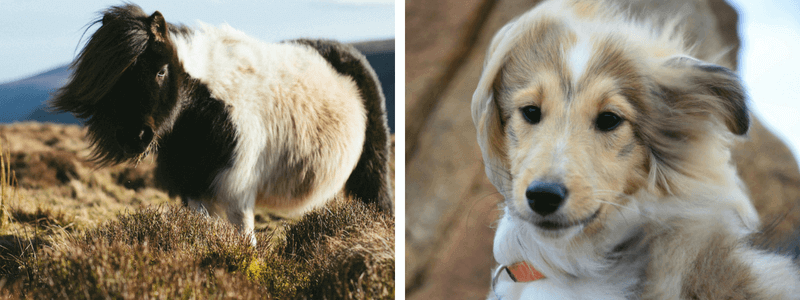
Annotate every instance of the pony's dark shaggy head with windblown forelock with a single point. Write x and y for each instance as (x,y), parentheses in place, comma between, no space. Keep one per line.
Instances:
(124,85)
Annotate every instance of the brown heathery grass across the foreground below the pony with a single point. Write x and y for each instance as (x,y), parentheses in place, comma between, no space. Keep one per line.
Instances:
(172,252)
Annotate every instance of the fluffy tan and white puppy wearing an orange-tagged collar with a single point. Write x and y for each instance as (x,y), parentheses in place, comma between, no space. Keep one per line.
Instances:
(610,144)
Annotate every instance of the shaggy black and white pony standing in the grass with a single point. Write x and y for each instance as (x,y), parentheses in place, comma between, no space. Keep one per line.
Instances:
(236,122)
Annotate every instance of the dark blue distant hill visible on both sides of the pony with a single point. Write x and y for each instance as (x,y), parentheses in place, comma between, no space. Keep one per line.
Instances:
(24,99)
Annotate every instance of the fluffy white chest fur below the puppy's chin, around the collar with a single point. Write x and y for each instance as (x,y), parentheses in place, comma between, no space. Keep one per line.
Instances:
(574,268)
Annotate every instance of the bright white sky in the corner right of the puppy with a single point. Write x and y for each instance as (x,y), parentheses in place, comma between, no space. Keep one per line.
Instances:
(769,64)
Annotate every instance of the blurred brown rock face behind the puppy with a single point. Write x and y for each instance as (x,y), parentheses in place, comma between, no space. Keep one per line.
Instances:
(451,206)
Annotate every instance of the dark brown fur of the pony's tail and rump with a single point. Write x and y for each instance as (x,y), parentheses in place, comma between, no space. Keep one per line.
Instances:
(370,179)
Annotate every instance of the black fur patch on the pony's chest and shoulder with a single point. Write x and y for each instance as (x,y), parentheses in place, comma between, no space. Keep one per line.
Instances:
(199,146)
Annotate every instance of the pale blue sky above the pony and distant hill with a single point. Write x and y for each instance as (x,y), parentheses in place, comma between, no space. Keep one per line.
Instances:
(38,35)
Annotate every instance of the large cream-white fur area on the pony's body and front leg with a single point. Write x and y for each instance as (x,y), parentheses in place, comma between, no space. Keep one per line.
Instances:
(276,95)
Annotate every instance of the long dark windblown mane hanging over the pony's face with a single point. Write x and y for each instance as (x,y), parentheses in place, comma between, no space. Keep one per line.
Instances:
(124,35)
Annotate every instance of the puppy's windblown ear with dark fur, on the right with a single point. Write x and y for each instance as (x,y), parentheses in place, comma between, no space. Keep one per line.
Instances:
(698,87)
